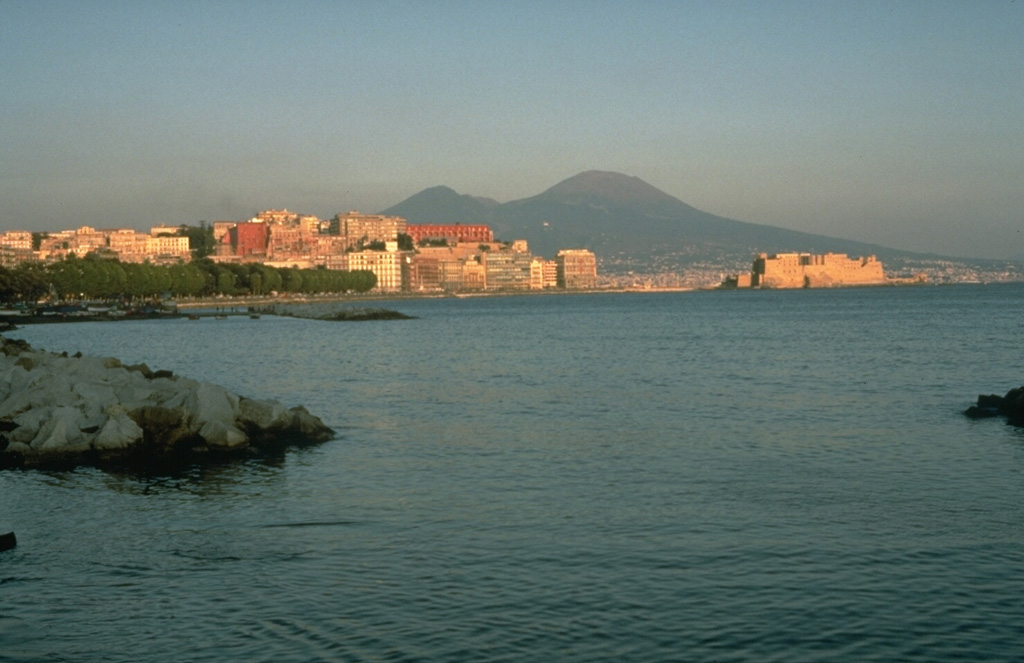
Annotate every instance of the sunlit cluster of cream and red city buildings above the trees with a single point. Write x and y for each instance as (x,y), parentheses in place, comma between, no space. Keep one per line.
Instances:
(403,258)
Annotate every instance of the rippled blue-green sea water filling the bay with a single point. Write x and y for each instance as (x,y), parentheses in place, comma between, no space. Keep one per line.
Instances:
(706,477)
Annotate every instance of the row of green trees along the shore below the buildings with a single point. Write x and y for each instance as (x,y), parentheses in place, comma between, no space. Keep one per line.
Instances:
(104,279)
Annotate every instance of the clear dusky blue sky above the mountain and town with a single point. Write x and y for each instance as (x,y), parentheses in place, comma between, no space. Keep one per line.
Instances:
(901,123)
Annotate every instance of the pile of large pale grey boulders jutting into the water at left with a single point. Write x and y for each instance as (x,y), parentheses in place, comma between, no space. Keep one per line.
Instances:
(60,411)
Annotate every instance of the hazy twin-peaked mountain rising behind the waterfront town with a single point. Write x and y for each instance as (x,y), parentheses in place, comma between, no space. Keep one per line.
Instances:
(627,223)
